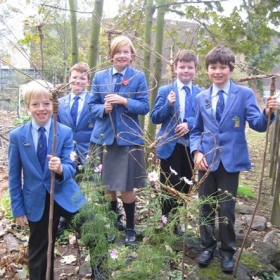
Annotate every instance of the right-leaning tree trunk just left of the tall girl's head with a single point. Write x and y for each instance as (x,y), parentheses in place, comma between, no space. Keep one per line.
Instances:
(94,34)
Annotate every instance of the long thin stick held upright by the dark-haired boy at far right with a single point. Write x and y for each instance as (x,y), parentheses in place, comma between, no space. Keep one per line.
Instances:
(272,91)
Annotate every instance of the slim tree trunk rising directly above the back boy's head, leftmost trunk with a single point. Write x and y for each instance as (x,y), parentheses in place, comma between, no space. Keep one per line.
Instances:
(74,41)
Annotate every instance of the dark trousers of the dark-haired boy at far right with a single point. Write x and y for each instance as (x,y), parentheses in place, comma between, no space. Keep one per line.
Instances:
(218,192)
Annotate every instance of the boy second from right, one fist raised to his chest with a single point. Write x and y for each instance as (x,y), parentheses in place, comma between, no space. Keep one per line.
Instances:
(174,109)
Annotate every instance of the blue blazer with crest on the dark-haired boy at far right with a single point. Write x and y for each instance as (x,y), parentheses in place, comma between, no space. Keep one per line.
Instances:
(227,142)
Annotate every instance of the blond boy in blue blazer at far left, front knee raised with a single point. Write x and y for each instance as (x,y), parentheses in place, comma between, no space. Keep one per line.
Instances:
(30,176)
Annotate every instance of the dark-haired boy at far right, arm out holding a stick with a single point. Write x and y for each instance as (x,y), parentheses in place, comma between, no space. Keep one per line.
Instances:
(219,147)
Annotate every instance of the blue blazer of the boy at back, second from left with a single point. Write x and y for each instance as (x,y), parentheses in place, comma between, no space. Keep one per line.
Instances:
(82,131)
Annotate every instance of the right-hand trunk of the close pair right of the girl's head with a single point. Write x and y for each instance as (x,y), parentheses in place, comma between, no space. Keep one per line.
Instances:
(158,62)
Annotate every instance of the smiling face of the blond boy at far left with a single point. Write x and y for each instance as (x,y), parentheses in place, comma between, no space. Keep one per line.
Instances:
(40,109)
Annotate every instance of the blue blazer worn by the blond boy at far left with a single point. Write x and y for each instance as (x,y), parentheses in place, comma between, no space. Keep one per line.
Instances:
(28,184)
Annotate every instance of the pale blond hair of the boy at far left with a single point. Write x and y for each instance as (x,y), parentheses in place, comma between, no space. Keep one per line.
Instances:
(36,89)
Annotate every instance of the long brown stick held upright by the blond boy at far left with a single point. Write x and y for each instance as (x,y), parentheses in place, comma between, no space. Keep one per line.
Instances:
(50,228)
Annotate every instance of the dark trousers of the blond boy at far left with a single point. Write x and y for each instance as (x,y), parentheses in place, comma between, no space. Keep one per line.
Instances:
(38,241)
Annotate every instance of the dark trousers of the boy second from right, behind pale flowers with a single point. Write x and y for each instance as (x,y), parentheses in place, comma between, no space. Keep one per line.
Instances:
(180,161)
